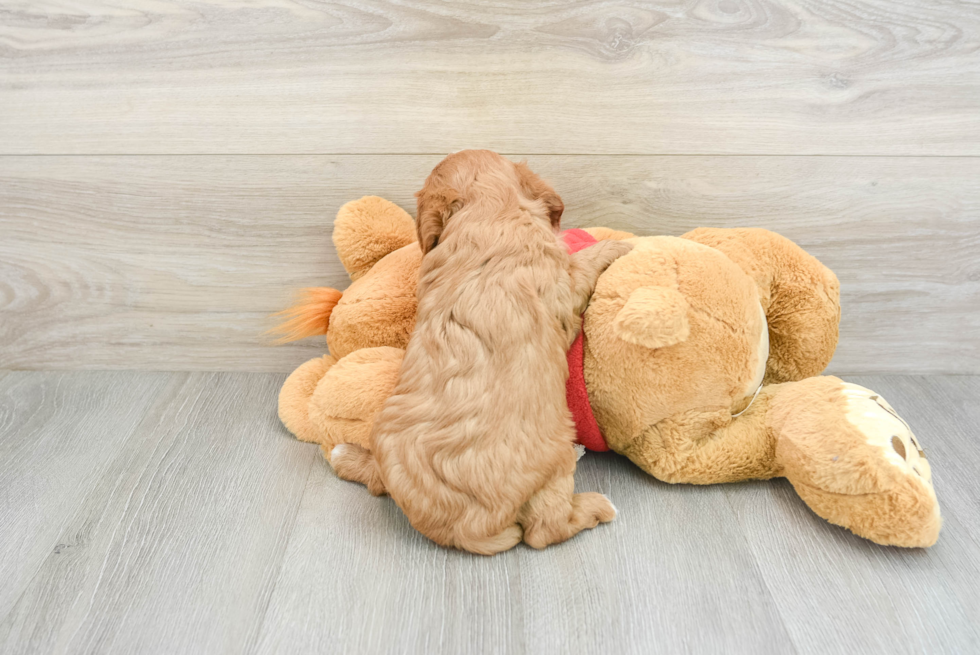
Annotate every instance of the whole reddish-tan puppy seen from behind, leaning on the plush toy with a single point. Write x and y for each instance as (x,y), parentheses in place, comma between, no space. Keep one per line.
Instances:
(476,442)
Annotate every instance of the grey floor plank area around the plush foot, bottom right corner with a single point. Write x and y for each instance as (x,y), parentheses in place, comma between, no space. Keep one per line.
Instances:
(839,593)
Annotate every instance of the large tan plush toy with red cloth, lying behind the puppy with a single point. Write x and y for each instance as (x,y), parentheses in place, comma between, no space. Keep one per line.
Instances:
(697,361)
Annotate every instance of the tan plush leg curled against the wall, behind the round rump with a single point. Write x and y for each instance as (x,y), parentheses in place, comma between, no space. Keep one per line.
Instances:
(800,297)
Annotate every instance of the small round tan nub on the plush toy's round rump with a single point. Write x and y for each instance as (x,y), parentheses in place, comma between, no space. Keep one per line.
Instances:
(653,317)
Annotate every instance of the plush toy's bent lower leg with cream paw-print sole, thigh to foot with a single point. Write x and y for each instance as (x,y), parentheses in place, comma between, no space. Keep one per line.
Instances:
(848,454)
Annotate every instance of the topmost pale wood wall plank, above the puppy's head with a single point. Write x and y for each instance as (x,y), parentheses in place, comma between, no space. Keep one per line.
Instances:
(664,77)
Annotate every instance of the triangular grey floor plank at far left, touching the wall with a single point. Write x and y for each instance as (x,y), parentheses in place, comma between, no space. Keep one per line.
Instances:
(59,435)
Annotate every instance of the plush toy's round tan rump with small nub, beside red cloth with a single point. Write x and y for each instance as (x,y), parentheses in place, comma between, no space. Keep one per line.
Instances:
(674,327)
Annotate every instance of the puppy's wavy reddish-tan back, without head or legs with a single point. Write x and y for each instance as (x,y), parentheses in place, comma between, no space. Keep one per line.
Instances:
(478,419)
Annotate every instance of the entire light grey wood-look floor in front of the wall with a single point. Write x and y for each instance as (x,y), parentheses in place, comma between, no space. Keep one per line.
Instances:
(172,513)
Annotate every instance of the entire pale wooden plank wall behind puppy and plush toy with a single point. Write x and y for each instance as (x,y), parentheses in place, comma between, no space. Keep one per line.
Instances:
(169,170)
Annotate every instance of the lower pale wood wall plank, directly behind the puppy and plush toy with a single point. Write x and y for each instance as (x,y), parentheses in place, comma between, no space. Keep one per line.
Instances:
(175,262)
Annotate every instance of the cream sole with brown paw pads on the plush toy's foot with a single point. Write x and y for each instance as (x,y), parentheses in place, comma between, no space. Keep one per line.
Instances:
(886,431)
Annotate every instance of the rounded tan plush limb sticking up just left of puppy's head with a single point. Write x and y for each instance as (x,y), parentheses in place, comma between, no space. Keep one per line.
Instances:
(367,229)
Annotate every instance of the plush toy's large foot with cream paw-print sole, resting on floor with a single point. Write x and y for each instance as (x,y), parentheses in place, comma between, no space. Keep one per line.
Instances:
(855,461)
